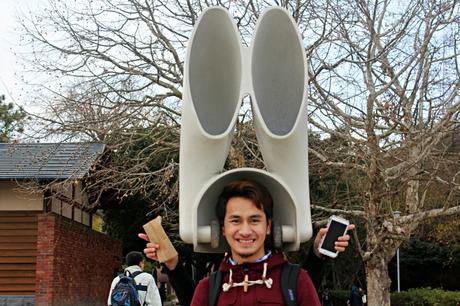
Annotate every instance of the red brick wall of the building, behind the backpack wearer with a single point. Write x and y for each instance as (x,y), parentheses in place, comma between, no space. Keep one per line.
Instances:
(75,265)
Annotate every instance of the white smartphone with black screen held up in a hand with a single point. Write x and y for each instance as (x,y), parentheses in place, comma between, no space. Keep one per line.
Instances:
(336,227)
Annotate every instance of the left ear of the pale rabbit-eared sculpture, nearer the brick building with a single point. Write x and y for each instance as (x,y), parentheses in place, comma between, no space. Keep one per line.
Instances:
(211,101)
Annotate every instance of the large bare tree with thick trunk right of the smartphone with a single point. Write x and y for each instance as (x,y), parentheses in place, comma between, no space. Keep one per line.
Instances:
(385,80)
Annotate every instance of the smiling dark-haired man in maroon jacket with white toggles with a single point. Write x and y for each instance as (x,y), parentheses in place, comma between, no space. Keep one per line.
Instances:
(251,274)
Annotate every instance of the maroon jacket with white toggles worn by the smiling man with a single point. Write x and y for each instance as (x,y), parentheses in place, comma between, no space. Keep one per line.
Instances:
(257,294)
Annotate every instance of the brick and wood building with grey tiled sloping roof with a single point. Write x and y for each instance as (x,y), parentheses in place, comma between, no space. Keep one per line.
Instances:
(49,252)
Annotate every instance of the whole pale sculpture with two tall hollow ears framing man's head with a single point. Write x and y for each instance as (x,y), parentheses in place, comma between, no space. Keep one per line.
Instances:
(219,72)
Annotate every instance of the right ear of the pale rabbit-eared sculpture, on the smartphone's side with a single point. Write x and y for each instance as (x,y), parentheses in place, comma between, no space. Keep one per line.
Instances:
(278,99)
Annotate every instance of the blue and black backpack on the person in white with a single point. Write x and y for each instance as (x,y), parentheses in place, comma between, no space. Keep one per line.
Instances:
(125,292)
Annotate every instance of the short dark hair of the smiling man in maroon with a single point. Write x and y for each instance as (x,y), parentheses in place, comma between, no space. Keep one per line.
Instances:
(247,189)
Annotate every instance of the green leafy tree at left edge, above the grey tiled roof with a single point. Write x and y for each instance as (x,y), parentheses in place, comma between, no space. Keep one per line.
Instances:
(12,120)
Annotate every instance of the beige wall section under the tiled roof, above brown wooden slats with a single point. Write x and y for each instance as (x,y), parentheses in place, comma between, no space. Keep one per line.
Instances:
(13,198)
